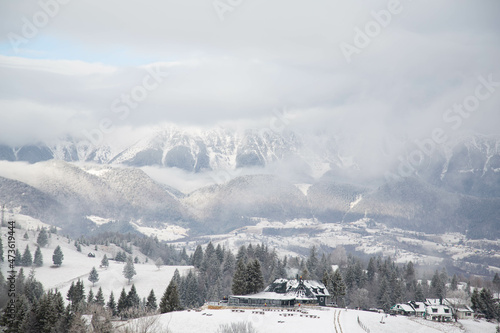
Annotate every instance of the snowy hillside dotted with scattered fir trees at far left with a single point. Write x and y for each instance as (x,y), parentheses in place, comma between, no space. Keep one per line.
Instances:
(78,265)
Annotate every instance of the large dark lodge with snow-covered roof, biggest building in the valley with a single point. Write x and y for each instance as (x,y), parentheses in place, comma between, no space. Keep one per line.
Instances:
(283,292)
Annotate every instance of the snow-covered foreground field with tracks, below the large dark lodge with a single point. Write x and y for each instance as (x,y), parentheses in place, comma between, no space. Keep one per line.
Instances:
(208,321)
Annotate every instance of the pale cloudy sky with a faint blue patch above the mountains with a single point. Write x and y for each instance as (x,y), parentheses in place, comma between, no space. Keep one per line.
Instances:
(66,68)
